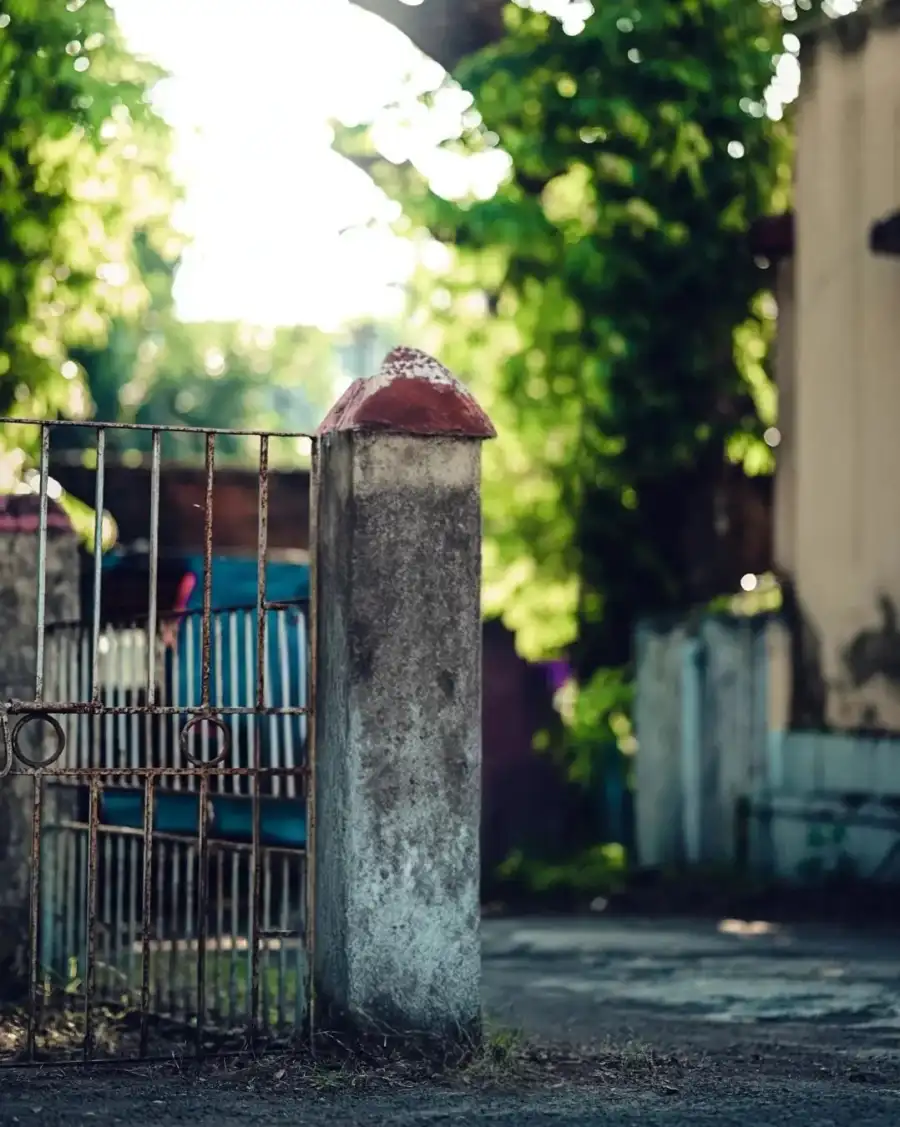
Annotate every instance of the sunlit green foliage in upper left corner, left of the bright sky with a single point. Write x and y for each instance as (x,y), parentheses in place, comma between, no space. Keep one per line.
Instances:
(84,172)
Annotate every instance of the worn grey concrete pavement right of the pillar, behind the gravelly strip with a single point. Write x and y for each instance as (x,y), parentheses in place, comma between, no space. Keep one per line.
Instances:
(694,983)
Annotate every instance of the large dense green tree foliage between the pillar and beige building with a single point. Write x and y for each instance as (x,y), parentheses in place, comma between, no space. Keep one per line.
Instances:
(605,305)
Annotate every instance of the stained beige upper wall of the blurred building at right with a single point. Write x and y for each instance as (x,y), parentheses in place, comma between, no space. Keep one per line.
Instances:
(839,526)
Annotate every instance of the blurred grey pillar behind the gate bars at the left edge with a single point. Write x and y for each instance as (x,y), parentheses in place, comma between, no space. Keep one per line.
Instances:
(19,631)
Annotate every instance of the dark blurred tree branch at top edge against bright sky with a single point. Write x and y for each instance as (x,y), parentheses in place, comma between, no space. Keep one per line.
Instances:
(447,31)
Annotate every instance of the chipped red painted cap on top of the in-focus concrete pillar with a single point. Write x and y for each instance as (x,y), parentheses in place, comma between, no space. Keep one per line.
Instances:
(412,395)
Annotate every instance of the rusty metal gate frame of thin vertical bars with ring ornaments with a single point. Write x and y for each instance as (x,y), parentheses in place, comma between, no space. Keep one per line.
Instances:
(16,716)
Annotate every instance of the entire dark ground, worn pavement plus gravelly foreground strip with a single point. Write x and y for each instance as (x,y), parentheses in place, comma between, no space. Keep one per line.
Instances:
(672,1026)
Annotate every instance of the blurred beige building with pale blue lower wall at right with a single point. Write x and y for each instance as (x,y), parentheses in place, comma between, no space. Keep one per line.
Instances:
(774,741)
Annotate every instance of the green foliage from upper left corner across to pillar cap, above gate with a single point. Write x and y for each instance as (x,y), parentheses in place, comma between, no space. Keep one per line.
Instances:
(88,256)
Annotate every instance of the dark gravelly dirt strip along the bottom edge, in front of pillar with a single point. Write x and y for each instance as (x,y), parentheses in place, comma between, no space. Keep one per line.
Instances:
(519,1086)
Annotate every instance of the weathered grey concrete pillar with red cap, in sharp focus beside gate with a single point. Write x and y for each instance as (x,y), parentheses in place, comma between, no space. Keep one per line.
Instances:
(398,771)
